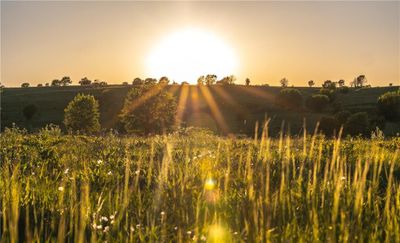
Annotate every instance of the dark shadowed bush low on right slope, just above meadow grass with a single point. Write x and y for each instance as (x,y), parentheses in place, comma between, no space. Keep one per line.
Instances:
(358,124)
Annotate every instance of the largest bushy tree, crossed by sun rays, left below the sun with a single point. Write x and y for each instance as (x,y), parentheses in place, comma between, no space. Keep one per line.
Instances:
(148,109)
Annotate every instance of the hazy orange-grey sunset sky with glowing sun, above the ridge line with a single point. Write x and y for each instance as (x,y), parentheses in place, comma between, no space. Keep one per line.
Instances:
(265,41)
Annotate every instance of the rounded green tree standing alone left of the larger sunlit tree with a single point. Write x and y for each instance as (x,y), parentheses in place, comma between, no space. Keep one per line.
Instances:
(82,115)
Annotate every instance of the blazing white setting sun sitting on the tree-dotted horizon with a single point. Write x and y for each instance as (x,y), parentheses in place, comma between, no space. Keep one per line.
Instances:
(187,54)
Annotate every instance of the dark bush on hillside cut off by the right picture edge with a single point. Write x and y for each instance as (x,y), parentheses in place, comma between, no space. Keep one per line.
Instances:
(389,105)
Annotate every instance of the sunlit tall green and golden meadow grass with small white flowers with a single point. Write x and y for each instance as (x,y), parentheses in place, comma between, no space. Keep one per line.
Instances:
(192,185)
